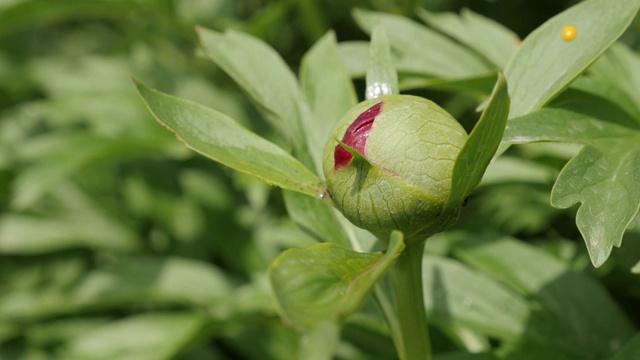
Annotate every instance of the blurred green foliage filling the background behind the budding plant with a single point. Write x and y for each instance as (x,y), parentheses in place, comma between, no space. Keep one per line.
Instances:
(116,242)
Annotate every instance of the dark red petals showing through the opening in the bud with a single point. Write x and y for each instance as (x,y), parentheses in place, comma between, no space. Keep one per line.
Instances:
(356,136)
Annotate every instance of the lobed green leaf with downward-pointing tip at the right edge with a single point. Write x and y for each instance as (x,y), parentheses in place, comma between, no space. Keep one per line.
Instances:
(604,178)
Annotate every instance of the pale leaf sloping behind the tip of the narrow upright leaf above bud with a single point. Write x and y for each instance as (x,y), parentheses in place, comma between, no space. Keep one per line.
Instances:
(440,56)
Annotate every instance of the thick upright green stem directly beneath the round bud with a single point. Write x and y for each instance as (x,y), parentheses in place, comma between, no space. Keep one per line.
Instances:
(407,284)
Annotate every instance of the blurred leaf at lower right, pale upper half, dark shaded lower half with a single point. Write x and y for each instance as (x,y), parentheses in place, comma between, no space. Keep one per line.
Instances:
(571,313)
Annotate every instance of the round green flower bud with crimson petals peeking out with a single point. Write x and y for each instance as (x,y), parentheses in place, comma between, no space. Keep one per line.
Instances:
(389,163)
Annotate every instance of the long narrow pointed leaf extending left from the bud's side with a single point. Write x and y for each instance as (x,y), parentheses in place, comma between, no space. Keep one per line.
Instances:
(220,138)
